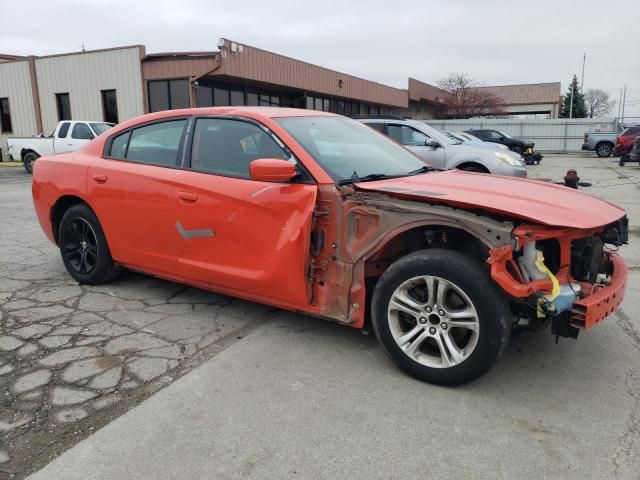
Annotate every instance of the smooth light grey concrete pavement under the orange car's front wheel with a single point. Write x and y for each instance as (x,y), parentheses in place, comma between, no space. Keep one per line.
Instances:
(301,398)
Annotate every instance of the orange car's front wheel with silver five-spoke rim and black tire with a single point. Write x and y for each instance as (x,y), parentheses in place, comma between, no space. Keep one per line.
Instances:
(425,327)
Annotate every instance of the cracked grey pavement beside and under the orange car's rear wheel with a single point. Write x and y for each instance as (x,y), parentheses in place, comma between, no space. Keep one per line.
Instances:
(71,353)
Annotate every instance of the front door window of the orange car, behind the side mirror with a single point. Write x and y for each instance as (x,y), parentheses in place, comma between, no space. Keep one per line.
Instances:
(227,147)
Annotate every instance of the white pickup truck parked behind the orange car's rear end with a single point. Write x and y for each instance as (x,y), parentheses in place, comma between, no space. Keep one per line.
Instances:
(69,135)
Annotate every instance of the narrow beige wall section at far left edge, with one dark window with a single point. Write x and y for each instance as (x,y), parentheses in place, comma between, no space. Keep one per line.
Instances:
(15,85)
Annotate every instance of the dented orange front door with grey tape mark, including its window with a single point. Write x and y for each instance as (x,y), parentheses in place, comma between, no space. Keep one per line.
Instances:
(237,234)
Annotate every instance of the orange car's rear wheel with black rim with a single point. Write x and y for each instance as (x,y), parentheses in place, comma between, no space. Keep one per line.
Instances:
(84,248)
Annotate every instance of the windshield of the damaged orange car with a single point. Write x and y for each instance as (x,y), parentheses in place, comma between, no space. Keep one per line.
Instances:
(344,147)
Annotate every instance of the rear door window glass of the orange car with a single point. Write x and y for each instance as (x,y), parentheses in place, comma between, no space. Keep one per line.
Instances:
(156,144)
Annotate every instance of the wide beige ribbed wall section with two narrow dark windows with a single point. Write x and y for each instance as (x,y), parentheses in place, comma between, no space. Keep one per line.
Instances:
(83,76)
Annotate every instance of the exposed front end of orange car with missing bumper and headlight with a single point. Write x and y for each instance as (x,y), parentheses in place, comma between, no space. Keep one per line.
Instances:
(570,278)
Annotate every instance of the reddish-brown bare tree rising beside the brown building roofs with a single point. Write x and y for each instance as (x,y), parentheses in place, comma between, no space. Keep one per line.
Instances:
(467,99)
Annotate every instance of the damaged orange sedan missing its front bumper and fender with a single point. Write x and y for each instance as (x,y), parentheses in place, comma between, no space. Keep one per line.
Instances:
(317,213)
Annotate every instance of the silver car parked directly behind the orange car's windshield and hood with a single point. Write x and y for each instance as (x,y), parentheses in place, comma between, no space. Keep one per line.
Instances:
(440,151)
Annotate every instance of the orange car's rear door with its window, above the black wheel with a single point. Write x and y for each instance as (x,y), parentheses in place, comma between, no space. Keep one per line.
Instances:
(131,189)
